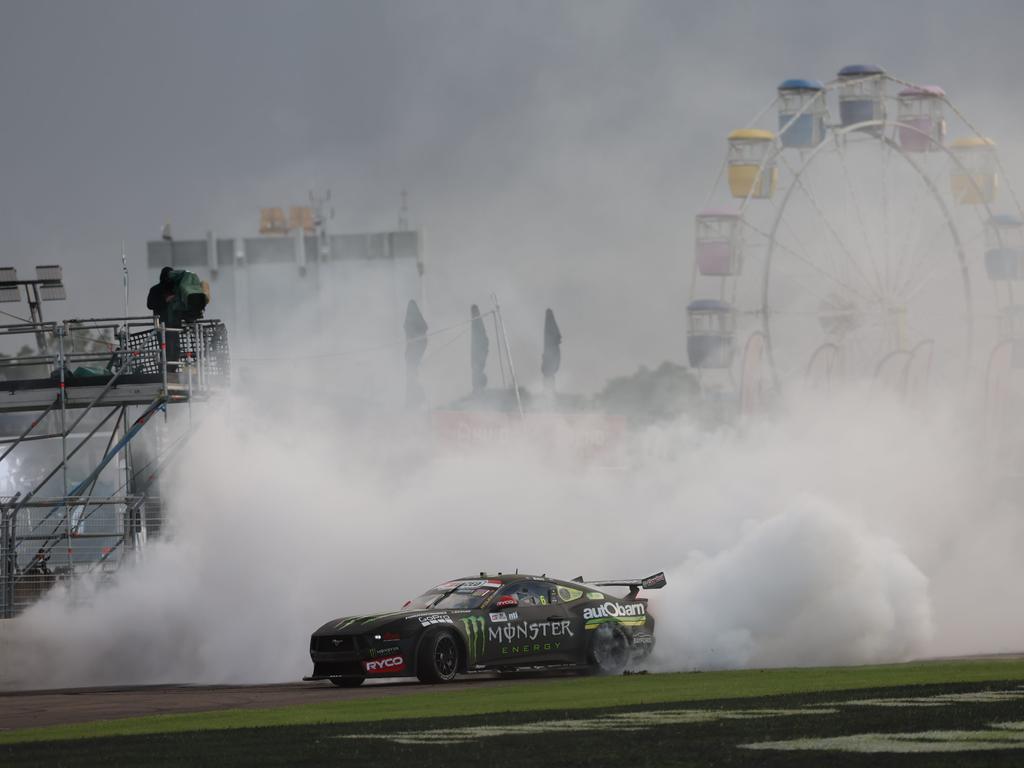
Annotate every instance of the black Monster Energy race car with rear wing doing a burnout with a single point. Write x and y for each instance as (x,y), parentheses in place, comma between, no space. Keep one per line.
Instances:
(501,622)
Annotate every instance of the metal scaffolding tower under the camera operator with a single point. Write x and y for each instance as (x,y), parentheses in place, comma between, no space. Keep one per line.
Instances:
(94,383)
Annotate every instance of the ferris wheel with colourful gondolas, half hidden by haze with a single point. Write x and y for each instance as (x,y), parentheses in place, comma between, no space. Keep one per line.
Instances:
(868,235)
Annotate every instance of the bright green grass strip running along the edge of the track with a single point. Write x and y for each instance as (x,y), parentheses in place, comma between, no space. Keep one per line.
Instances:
(574,694)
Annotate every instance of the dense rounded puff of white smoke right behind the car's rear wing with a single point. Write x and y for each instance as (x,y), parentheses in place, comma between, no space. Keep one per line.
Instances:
(807,586)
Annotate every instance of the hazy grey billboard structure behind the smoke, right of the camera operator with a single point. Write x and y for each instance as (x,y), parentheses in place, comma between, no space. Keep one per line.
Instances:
(316,295)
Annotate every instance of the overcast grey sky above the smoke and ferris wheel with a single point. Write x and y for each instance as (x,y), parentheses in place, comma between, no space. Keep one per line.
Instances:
(554,152)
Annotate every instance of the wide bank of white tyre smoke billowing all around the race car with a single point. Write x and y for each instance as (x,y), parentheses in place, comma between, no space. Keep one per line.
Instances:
(827,535)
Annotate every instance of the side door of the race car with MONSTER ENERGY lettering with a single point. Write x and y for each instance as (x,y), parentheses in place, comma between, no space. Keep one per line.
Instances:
(537,631)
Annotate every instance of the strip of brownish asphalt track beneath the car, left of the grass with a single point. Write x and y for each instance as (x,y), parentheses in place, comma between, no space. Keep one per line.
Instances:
(33,709)
